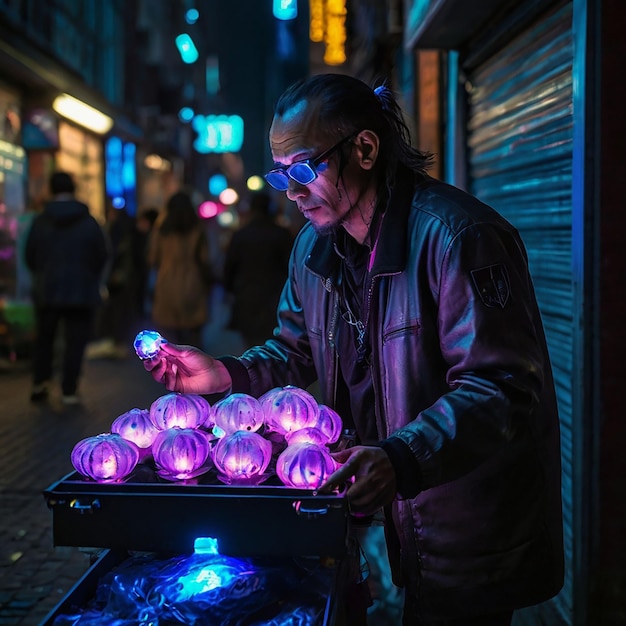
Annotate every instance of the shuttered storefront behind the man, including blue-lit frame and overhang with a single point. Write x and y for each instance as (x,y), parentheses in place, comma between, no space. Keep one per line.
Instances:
(514,124)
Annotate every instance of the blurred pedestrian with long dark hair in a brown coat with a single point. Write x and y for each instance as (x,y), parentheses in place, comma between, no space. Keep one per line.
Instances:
(179,253)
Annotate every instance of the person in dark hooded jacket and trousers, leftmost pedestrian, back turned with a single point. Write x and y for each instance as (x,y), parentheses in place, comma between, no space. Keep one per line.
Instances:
(66,251)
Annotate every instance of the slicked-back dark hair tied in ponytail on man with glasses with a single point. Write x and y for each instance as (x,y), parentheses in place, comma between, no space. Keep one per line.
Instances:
(346,105)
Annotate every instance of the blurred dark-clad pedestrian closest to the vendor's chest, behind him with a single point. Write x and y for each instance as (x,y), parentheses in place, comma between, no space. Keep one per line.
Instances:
(255,270)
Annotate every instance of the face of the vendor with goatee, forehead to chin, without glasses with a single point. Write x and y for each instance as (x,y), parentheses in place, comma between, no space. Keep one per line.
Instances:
(330,198)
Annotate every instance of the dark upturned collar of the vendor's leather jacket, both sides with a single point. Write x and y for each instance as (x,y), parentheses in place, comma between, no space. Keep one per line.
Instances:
(391,251)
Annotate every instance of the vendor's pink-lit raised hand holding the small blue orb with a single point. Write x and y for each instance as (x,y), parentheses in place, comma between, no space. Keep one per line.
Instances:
(188,370)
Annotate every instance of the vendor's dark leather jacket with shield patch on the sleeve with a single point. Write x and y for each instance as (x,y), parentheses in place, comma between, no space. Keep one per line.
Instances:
(463,385)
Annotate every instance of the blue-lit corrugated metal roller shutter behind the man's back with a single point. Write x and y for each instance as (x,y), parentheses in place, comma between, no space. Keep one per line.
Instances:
(520,135)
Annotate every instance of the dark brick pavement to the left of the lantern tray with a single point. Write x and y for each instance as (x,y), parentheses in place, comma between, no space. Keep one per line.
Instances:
(35,446)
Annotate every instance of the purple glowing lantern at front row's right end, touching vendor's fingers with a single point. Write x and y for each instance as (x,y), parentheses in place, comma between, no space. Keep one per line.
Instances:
(304,465)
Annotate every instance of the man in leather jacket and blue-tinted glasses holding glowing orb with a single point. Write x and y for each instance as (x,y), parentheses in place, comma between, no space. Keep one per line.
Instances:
(411,303)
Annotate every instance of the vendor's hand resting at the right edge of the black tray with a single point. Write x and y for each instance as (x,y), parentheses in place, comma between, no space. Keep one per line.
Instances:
(374,483)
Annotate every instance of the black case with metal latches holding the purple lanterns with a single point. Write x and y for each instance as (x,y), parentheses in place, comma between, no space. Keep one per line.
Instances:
(158,516)
